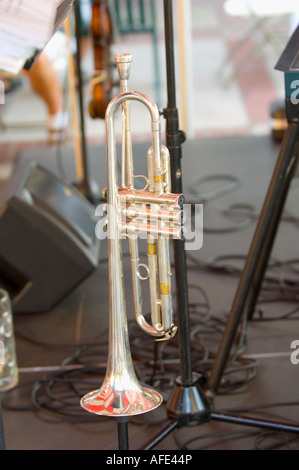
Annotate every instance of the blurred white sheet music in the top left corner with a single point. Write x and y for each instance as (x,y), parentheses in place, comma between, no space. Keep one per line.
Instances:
(25,27)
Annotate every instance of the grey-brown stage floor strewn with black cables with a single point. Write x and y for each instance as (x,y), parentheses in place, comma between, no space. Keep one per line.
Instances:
(230,176)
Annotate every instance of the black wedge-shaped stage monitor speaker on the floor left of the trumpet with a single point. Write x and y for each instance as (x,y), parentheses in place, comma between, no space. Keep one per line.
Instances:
(48,244)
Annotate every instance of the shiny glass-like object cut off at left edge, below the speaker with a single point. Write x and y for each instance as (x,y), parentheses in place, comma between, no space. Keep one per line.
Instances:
(8,360)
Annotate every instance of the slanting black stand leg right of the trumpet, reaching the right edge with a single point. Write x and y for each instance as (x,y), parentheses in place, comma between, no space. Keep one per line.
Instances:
(276,189)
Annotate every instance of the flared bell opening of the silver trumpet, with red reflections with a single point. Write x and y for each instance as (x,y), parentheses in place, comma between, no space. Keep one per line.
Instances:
(130,400)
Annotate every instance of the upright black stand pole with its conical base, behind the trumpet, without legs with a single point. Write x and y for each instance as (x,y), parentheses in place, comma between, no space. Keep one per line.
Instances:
(187,402)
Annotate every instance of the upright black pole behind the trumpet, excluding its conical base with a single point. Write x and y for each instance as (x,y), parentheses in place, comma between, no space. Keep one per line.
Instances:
(174,139)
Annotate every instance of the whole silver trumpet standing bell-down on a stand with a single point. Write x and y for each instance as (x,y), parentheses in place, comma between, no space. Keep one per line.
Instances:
(155,213)
